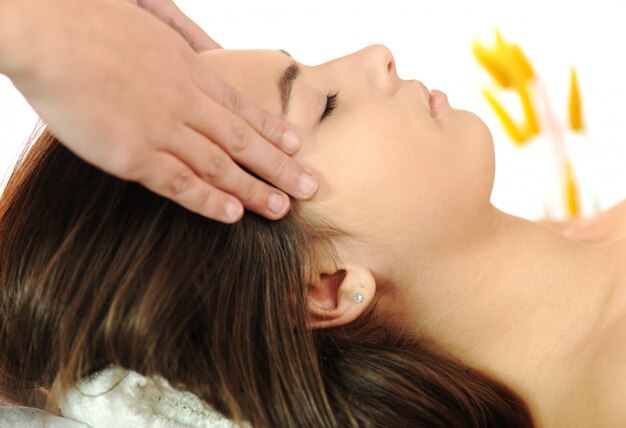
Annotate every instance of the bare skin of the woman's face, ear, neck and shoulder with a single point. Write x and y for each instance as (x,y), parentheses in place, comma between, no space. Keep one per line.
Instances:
(538,307)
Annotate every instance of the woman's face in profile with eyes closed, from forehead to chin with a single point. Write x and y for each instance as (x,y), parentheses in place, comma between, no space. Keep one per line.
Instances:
(389,171)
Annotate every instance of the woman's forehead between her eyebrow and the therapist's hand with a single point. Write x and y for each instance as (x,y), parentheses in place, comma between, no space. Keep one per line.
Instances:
(255,73)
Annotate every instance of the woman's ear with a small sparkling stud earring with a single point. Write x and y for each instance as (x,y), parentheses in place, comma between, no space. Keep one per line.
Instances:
(340,297)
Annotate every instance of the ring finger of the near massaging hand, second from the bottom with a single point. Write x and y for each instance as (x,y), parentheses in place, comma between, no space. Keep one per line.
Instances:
(214,165)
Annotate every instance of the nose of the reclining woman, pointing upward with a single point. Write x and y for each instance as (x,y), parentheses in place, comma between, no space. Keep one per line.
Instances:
(380,68)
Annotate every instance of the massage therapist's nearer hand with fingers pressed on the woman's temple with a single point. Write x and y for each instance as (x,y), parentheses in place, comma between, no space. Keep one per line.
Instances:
(128,94)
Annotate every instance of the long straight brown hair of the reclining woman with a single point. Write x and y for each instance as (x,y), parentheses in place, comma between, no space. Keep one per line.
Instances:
(98,271)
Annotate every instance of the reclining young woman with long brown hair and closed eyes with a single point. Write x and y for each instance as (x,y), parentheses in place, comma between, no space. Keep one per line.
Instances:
(397,296)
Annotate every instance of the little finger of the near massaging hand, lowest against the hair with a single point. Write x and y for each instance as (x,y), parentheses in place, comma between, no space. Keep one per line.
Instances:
(171,178)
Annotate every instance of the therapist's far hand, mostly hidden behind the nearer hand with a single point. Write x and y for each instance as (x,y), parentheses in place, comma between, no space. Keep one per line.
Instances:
(168,12)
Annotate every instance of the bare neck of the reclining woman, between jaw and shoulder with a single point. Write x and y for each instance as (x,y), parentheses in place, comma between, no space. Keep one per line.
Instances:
(511,298)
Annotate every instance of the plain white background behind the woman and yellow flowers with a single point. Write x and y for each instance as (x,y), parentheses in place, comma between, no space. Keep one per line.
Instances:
(431,42)
